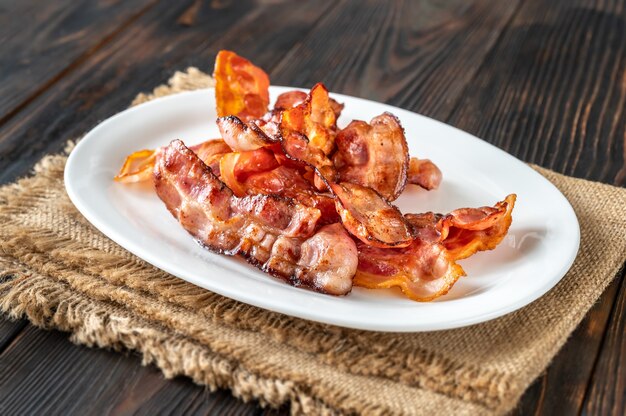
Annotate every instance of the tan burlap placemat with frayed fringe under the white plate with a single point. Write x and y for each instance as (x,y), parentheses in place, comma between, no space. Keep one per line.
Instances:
(60,272)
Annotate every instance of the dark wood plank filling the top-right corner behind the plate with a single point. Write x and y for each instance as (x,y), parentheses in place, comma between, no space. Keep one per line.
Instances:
(552,92)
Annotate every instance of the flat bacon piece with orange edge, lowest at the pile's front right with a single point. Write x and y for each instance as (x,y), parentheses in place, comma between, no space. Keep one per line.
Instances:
(423,270)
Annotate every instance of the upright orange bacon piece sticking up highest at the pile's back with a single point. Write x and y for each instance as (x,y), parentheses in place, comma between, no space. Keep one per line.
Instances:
(241,89)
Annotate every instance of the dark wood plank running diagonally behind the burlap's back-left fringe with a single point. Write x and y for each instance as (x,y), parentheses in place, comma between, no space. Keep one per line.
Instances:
(143,56)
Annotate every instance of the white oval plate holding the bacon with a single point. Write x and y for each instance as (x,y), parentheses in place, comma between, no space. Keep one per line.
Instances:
(539,249)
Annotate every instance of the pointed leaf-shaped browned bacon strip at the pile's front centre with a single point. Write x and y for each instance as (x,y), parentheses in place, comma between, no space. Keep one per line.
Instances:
(370,218)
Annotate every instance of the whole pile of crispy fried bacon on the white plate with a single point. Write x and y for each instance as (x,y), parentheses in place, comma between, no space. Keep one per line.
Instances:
(311,203)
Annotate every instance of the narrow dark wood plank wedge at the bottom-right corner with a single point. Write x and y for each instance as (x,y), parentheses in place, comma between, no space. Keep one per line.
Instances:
(607,391)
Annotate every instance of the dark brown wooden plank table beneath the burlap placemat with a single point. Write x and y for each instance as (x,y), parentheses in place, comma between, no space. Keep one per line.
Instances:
(546,81)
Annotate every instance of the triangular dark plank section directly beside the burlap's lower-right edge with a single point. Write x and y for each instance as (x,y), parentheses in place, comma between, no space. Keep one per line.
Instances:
(561,389)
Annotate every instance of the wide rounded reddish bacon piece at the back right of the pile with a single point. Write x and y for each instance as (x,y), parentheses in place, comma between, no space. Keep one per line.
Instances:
(374,155)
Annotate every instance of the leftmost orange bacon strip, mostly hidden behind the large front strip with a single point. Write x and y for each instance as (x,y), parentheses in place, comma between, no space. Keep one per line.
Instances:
(138,166)
